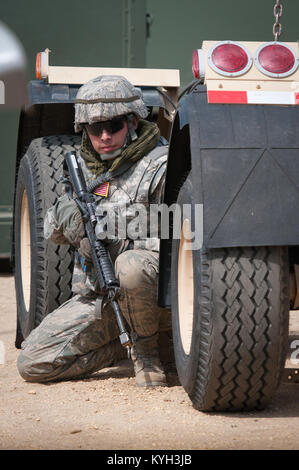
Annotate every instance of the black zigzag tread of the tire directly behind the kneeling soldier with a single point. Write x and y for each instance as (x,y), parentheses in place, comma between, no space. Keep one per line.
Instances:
(53,263)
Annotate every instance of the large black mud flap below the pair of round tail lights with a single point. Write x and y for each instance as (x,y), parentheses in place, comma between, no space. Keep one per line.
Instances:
(245,169)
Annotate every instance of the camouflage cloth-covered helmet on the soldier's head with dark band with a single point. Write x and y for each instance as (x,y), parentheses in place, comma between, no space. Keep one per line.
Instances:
(105,97)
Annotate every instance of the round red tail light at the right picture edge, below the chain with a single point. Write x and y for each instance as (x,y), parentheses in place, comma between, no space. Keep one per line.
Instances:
(276,60)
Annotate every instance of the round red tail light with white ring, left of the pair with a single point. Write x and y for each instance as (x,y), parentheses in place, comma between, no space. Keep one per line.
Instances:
(229,58)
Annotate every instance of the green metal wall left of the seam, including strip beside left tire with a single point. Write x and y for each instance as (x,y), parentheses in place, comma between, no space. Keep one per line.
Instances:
(89,33)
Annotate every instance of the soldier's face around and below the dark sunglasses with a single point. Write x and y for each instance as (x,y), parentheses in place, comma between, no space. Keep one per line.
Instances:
(107,141)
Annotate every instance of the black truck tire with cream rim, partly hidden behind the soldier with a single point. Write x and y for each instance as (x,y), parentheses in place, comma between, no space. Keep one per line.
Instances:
(43,270)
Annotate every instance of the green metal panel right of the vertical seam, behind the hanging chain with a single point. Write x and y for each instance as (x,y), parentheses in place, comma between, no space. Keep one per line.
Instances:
(179,27)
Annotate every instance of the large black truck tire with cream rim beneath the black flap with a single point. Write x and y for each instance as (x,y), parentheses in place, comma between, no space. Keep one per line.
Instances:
(230,310)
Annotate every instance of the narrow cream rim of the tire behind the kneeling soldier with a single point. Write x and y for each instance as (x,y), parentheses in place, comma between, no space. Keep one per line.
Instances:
(25,244)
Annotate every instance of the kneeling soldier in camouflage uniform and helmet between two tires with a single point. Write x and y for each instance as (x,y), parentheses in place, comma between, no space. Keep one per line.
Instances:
(123,158)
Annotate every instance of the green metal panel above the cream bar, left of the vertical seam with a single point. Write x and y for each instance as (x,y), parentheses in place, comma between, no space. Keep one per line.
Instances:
(89,33)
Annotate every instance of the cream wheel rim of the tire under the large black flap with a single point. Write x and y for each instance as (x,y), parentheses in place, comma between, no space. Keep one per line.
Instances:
(185,287)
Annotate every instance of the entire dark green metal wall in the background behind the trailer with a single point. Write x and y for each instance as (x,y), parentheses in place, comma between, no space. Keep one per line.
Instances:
(113,33)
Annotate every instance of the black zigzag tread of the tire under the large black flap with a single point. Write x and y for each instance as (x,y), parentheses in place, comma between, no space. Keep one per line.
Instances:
(246,337)
